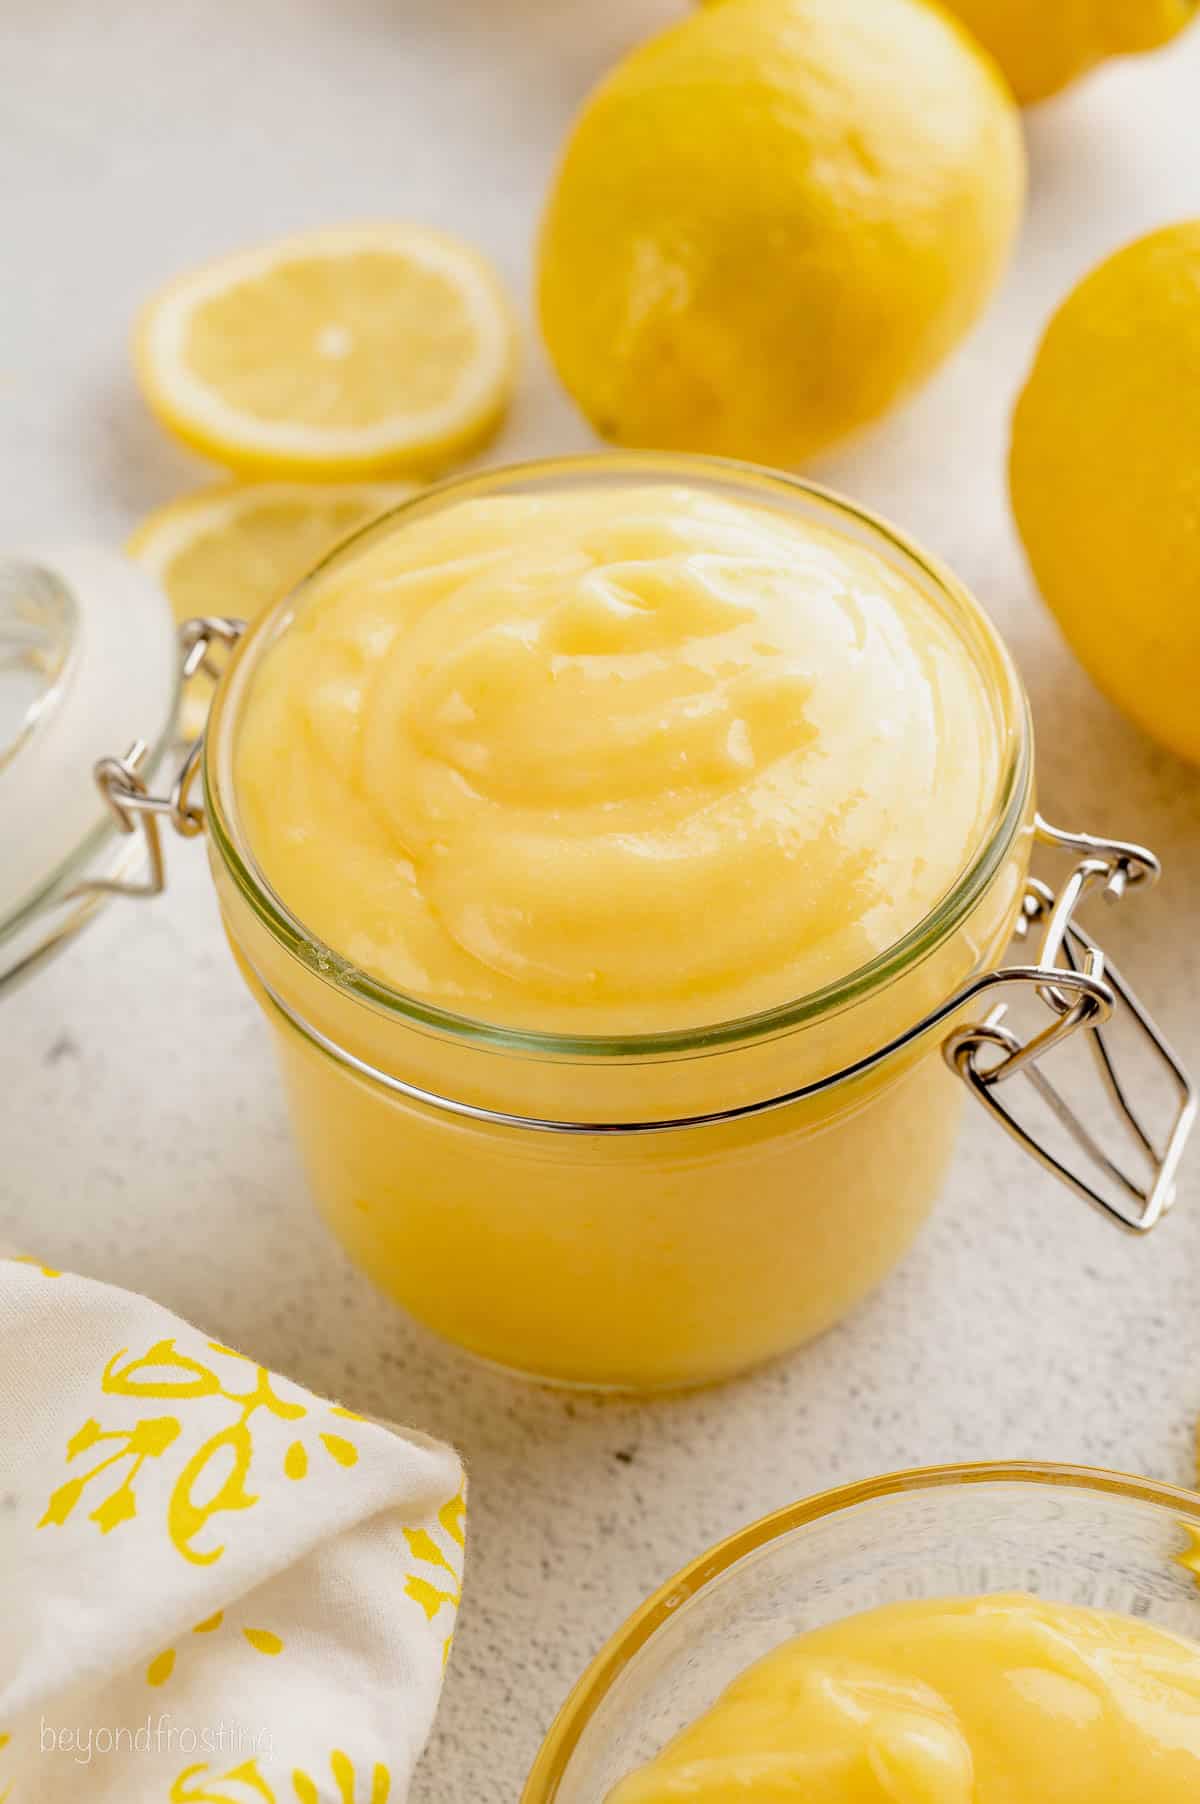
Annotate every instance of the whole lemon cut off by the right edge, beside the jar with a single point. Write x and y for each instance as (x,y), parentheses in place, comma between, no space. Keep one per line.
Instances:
(1105,475)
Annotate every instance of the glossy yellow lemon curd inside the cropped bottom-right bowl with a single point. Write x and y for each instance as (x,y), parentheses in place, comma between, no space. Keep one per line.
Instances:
(992,1700)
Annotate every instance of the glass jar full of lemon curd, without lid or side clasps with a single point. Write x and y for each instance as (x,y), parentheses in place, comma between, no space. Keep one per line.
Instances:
(602,805)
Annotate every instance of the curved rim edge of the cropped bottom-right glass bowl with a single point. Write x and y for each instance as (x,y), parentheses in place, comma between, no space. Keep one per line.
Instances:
(699,1574)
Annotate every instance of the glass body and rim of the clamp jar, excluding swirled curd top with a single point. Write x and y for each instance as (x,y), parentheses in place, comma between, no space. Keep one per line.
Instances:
(672,1208)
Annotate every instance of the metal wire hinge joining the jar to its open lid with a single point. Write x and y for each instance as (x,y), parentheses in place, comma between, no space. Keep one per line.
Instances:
(125,789)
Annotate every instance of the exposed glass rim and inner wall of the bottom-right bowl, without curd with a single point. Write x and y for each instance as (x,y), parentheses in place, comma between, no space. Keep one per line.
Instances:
(1064,1532)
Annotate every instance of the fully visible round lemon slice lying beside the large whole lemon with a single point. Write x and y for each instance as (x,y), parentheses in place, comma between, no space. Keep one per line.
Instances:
(344,353)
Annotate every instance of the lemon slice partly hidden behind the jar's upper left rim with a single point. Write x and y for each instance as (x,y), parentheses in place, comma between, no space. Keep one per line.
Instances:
(237,549)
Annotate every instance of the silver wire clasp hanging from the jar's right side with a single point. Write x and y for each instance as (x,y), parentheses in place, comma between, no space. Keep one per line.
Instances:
(1082,989)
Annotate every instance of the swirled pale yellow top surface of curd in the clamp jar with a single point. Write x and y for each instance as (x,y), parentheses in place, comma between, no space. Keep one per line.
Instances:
(616,760)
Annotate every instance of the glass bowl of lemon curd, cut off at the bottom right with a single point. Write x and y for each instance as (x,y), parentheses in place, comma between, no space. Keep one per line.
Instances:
(948,1637)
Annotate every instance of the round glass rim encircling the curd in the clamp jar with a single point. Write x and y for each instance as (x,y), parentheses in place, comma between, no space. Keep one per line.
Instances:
(614,466)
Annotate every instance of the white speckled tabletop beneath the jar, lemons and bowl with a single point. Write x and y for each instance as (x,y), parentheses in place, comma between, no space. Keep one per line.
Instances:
(143,1136)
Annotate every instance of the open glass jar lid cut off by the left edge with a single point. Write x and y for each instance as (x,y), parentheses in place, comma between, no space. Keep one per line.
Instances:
(88,661)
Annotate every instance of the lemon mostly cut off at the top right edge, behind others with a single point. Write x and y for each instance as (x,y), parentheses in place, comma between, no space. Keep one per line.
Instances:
(1042,46)
